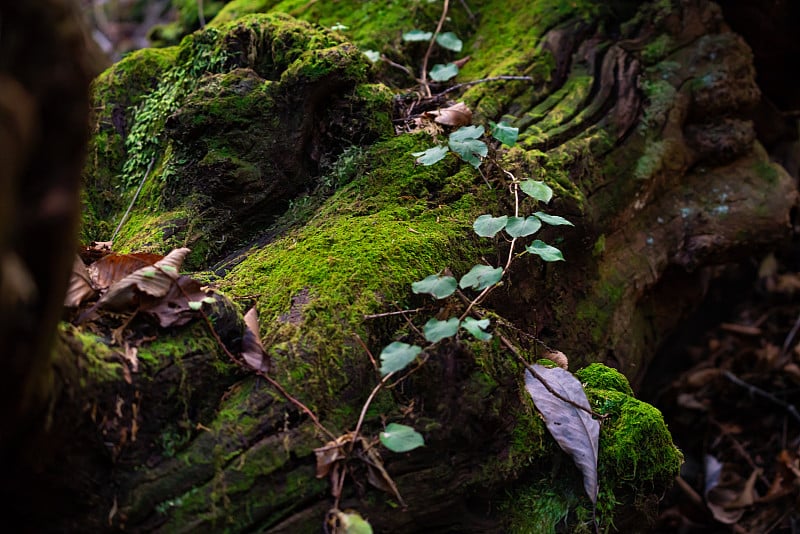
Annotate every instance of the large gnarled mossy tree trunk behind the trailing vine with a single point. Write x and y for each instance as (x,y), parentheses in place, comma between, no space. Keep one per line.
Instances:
(272,154)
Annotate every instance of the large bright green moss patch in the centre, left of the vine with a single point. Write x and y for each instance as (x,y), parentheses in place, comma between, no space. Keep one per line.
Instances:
(362,249)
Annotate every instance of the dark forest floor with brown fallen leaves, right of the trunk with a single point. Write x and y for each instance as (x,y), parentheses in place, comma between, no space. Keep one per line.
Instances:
(729,386)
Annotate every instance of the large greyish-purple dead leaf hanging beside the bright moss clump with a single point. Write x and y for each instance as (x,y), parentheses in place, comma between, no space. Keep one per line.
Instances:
(575,431)
